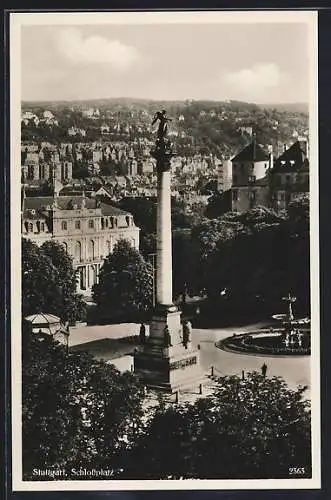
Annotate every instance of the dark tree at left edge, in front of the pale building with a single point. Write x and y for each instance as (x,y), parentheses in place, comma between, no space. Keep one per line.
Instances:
(48,282)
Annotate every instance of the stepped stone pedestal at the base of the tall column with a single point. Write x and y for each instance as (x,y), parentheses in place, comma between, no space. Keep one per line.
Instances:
(167,365)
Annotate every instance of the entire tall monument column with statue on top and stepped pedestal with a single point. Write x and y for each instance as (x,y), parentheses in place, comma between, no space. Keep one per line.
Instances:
(166,360)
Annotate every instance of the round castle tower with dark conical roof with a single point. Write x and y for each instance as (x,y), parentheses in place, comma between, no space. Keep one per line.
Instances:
(250,183)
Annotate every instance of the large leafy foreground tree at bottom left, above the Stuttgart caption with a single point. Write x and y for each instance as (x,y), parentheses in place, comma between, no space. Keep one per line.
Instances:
(76,411)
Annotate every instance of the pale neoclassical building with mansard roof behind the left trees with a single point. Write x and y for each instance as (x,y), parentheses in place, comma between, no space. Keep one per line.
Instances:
(87,228)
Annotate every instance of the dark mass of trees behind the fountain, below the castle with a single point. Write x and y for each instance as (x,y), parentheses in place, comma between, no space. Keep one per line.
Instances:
(258,257)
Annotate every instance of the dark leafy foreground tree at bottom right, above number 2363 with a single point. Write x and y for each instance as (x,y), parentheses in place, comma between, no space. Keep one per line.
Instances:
(249,429)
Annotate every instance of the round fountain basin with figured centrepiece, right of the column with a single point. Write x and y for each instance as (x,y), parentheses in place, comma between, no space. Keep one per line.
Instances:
(290,337)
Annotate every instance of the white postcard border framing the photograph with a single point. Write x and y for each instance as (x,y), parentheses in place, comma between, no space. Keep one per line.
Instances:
(17,20)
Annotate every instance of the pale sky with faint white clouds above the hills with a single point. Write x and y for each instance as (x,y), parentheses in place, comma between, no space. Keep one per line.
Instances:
(259,62)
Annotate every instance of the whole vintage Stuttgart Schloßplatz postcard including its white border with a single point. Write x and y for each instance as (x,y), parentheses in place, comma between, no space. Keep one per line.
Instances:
(164,263)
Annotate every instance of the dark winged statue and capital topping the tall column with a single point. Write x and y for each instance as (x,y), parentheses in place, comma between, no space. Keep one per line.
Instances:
(163,150)
